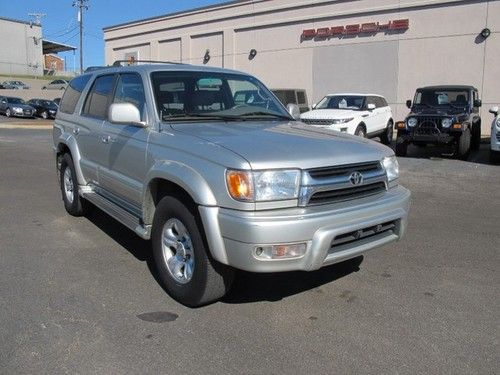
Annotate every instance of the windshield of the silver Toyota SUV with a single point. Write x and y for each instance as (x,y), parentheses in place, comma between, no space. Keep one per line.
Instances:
(193,96)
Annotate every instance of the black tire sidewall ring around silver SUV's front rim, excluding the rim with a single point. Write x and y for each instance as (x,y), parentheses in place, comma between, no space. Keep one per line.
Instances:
(191,292)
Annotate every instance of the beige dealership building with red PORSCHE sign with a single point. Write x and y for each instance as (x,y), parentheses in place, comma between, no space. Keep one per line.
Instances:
(387,47)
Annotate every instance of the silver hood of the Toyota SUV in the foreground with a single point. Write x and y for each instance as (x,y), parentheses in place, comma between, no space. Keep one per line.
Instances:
(283,144)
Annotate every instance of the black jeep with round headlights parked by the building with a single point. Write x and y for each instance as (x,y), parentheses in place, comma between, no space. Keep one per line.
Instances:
(442,115)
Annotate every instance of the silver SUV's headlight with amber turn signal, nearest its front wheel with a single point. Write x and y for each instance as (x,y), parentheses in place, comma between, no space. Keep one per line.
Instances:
(259,186)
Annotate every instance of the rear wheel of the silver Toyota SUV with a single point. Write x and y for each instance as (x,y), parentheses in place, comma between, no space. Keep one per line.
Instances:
(73,203)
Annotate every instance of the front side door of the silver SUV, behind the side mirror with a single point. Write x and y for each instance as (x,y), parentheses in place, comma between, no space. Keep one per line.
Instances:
(124,170)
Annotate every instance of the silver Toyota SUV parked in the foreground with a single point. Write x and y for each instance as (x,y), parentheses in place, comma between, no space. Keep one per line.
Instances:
(219,185)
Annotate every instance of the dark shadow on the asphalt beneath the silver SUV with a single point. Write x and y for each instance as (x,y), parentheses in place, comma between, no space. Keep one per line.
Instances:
(247,287)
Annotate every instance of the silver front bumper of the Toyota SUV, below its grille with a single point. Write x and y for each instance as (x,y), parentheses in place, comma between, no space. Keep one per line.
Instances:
(233,236)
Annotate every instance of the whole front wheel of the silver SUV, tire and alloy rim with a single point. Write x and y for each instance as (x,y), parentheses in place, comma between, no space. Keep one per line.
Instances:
(188,272)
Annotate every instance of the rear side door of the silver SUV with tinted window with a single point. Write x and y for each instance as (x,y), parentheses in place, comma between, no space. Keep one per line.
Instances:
(88,130)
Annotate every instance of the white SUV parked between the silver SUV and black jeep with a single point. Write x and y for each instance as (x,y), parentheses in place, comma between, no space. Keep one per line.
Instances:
(366,115)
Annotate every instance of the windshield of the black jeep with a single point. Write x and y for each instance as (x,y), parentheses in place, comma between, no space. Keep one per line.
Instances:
(436,98)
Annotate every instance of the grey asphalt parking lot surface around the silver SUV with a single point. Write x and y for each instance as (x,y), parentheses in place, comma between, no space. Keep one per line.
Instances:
(80,295)
